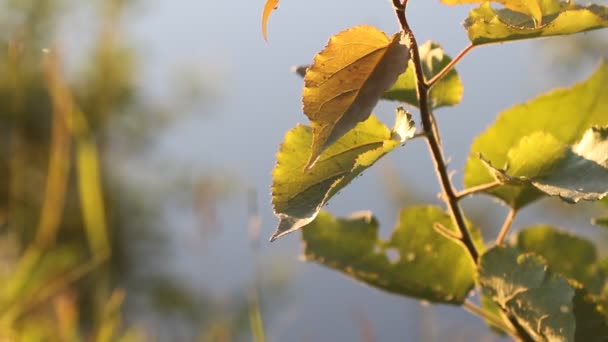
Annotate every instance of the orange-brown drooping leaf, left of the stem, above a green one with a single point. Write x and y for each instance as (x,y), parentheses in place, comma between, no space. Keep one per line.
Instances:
(346,81)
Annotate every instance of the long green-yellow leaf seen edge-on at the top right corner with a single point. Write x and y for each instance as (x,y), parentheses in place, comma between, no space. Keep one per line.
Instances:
(486,25)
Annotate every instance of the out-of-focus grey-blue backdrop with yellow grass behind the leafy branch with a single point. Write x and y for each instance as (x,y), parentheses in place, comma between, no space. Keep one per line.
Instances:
(136,144)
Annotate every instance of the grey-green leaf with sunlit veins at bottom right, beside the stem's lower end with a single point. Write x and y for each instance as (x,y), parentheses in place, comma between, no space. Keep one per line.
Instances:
(539,299)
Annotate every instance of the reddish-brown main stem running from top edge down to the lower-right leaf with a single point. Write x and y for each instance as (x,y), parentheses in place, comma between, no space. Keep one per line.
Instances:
(432,135)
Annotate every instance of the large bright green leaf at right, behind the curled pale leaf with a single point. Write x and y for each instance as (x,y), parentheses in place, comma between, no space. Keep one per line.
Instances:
(564,114)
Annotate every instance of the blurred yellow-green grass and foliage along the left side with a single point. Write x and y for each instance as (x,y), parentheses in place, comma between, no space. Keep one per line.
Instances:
(81,252)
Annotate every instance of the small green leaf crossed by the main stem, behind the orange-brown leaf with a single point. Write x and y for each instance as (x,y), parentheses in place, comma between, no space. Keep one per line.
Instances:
(447,92)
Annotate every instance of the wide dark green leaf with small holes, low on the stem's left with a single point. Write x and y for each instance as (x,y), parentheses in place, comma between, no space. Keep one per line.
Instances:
(416,262)
